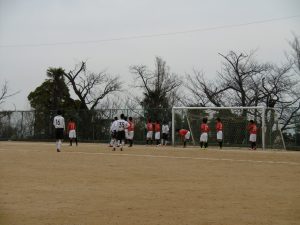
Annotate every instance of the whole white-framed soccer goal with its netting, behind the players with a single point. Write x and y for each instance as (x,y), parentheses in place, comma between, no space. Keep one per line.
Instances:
(235,122)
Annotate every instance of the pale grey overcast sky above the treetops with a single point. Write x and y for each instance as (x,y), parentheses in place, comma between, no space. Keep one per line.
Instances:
(38,34)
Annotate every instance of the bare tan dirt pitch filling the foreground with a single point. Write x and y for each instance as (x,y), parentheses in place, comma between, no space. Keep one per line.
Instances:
(90,184)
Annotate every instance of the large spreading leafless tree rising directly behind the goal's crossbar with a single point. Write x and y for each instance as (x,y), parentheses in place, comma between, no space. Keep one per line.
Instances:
(238,83)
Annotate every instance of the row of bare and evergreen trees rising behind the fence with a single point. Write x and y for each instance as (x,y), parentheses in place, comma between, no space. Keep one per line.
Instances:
(241,81)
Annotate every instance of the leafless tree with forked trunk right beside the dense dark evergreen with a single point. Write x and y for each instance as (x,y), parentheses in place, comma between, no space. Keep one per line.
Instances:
(91,87)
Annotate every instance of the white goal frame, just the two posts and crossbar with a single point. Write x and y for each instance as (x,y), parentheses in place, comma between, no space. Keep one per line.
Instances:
(262,108)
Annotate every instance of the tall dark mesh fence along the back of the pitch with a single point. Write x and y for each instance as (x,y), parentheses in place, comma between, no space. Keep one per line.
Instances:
(93,126)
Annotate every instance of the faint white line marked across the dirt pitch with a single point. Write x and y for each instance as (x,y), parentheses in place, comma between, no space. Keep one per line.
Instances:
(184,157)
